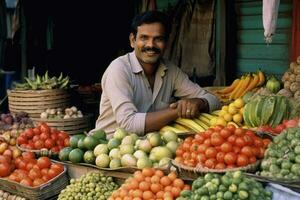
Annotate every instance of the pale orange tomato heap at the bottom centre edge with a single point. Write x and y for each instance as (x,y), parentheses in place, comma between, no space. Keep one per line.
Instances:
(151,183)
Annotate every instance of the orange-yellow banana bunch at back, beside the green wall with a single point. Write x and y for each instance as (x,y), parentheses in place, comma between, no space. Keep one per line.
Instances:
(240,86)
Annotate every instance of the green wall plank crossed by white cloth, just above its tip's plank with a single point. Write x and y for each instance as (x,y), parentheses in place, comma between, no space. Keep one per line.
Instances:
(255,22)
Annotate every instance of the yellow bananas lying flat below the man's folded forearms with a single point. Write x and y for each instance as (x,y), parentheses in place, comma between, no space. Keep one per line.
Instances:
(183,125)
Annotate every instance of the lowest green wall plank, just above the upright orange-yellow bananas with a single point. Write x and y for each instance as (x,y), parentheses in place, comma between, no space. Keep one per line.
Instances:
(277,67)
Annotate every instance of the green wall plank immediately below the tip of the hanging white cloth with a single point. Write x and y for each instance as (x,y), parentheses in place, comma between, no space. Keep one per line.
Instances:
(265,51)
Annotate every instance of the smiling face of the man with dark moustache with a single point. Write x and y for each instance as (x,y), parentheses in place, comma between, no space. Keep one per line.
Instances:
(149,43)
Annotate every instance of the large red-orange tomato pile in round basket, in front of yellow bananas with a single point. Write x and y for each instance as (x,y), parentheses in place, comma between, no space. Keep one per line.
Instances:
(222,148)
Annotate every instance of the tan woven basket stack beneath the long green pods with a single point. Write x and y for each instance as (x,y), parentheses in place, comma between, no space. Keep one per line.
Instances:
(34,102)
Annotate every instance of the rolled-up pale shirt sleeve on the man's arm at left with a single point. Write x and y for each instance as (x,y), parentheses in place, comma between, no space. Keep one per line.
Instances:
(118,89)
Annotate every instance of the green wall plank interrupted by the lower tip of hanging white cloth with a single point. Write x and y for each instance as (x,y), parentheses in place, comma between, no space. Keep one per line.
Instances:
(257,37)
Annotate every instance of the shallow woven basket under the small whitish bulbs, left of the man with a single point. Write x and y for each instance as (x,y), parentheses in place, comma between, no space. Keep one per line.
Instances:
(71,125)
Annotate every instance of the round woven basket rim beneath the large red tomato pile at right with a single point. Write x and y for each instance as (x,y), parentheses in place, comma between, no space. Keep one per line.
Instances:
(194,172)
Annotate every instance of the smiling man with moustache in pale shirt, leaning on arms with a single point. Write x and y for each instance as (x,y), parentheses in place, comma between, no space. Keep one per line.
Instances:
(141,91)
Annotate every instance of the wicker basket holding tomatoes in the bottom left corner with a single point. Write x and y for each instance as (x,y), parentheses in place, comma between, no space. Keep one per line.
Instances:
(45,191)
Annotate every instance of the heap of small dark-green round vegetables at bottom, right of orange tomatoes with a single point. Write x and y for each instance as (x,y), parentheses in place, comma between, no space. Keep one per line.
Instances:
(232,185)
